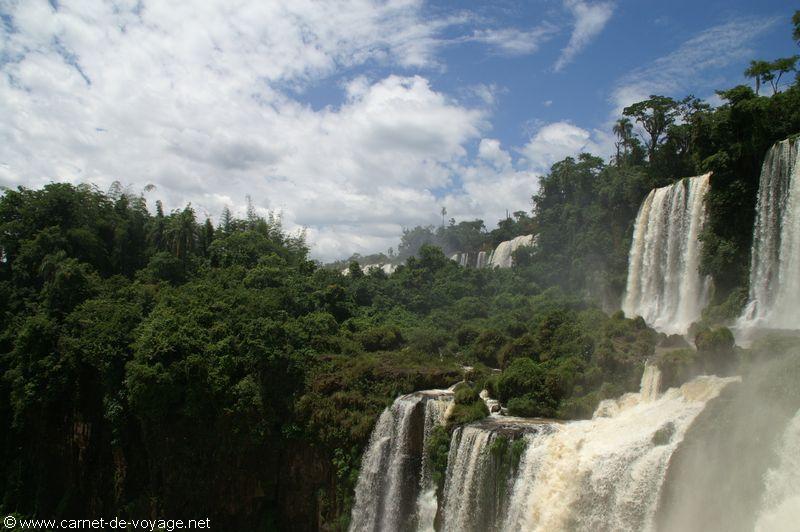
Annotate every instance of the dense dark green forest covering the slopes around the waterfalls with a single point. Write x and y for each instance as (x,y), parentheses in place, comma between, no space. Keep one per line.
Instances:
(154,363)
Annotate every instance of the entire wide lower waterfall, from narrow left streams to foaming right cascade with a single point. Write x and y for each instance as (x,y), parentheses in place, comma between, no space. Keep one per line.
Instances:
(600,474)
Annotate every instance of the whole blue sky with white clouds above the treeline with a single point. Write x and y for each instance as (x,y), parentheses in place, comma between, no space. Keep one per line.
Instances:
(353,119)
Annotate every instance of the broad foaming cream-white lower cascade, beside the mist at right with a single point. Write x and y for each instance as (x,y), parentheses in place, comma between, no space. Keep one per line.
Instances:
(606,473)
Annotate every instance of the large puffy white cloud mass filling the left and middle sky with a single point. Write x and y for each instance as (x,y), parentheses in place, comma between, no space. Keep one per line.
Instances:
(196,98)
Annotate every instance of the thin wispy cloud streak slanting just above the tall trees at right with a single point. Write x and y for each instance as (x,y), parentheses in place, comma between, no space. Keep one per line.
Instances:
(694,64)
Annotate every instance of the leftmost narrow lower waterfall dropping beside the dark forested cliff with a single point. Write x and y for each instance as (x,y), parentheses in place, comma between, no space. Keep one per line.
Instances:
(394,466)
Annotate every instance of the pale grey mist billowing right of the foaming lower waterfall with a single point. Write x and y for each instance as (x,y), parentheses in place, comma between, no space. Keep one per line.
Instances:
(737,467)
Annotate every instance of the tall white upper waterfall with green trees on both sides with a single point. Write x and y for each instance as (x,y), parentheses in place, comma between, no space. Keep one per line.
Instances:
(664,284)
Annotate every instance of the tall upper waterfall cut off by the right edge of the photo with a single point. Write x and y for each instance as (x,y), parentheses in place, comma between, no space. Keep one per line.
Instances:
(775,255)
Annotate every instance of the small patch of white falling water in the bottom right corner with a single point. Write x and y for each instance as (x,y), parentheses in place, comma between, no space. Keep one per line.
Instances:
(780,508)
